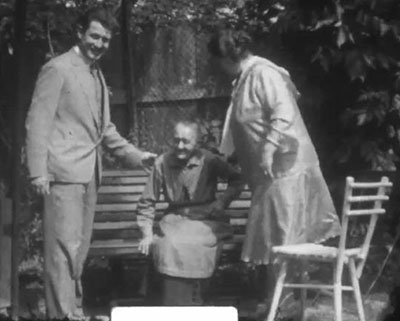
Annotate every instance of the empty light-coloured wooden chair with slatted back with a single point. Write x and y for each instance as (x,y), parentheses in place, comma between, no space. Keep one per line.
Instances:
(360,199)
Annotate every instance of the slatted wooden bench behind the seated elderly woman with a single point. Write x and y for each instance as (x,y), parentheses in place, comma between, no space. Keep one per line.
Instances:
(116,233)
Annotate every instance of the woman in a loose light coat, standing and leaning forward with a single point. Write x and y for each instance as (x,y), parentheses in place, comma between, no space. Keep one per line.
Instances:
(290,199)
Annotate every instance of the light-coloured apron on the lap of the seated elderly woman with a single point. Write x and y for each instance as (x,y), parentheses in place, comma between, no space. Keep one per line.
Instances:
(186,247)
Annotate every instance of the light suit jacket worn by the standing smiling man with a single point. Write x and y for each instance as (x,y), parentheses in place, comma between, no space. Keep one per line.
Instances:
(64,130)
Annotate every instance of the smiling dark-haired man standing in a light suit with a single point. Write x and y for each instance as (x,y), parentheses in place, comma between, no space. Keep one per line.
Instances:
(67,125)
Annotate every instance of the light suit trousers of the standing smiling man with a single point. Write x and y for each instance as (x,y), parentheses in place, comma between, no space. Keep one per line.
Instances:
(67,228)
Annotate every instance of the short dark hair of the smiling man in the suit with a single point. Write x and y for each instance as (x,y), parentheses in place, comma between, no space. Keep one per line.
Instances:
(102,15)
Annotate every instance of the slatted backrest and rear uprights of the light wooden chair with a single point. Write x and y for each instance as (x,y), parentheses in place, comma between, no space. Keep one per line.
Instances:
(362,199)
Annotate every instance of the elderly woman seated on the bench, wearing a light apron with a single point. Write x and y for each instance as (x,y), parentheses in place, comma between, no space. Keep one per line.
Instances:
(186,248)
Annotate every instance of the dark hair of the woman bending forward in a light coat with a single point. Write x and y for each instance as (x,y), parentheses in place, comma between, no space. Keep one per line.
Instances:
(228,43)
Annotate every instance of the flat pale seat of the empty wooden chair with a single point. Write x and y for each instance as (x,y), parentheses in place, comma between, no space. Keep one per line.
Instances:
(313,251)
